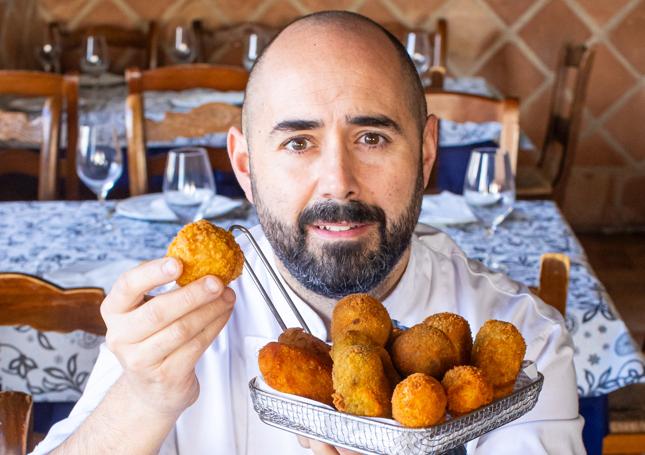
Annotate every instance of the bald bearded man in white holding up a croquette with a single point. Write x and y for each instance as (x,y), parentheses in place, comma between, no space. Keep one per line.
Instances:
(335,152)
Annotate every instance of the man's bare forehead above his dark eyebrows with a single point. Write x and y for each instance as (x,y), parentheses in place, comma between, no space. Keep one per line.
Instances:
(315,67)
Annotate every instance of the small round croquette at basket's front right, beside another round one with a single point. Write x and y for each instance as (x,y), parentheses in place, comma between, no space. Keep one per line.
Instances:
(466,389)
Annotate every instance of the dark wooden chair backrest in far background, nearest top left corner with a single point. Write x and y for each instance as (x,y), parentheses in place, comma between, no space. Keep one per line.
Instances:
(71,41)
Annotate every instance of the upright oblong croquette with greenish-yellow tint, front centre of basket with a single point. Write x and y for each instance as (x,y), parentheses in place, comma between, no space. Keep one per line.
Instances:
(360,384)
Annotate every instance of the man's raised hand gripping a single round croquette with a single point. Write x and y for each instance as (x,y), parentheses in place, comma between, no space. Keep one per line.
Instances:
(158,342)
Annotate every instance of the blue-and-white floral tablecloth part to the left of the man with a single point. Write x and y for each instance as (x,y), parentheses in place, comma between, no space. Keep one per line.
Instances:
(42,237)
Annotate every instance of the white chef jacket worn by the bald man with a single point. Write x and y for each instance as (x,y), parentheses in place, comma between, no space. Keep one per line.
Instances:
(438,278)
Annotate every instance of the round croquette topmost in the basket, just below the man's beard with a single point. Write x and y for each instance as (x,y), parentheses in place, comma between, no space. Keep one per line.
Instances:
(363,313)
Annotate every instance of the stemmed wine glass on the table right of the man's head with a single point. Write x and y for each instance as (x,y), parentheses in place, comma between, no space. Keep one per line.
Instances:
(489,191)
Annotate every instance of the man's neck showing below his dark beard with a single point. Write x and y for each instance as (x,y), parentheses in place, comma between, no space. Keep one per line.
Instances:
(324,306)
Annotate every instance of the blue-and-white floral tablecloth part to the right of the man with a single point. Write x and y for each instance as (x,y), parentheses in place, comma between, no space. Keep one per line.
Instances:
(606,357)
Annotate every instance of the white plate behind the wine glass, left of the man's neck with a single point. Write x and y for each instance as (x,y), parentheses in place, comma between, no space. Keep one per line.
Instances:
(151,207)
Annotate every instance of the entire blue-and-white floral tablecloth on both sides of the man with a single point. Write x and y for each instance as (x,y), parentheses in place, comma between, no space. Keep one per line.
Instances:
(43,238)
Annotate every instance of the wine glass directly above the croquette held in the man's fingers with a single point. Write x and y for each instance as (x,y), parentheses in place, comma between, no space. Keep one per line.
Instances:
(188,184)
